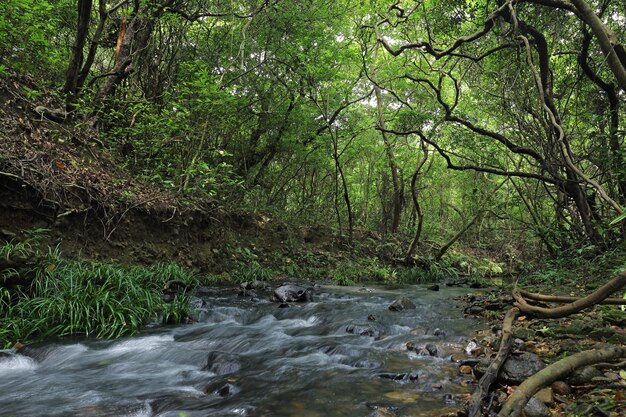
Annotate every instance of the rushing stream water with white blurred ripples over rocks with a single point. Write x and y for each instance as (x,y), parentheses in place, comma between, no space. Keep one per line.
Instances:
(249,358)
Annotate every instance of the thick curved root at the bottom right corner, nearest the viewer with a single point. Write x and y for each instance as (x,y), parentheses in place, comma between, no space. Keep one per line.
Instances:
(558,370)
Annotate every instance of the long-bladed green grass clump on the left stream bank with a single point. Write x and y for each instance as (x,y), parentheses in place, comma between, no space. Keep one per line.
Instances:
(99,299)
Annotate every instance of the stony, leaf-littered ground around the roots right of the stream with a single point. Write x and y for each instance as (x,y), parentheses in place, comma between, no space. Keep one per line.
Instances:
(589,391)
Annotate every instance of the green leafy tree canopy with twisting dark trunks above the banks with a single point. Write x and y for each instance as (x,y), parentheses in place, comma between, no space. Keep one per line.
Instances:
(498,122)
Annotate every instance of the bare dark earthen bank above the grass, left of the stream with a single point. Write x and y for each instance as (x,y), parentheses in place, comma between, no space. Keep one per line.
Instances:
(208,239)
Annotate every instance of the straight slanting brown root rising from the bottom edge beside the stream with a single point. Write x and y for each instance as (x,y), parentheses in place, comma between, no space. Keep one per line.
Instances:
(474,407)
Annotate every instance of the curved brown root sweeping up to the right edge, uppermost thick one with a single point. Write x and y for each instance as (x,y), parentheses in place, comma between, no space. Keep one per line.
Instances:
(592,299)
